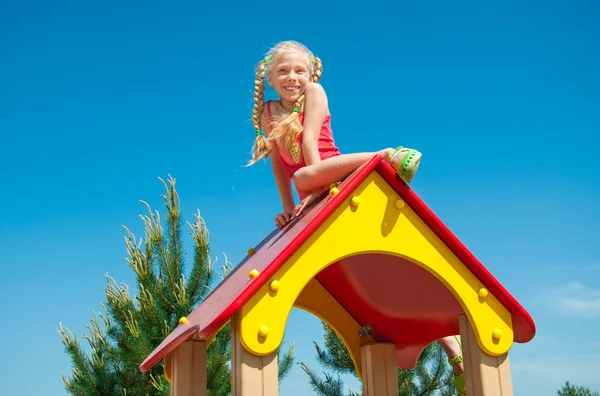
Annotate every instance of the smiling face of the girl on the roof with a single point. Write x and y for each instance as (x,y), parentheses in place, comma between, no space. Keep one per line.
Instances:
(289,76)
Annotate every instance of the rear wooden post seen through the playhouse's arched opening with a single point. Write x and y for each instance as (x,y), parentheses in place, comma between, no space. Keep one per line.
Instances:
(378,363)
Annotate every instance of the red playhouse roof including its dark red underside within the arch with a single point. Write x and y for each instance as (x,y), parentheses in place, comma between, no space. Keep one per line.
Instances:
(422,309)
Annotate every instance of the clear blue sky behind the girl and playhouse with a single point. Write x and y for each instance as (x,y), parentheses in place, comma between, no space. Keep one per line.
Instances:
(98,100)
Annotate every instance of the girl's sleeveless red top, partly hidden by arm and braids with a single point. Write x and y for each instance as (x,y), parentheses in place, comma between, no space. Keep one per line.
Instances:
(294,160)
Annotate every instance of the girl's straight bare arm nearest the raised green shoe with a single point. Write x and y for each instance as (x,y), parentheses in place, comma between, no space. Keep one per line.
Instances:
(315,111)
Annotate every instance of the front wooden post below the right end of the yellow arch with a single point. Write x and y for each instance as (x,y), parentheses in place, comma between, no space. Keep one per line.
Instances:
(485,375)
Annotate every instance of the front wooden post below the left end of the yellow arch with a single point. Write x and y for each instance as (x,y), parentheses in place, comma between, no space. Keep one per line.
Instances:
(251,375)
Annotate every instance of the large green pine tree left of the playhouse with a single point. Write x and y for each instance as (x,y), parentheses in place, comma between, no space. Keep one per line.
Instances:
(129,328)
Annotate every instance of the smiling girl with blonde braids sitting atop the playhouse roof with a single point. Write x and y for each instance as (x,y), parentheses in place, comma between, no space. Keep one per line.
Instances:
(300,141)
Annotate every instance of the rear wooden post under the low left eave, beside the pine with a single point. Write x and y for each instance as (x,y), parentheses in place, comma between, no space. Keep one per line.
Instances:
(187,369)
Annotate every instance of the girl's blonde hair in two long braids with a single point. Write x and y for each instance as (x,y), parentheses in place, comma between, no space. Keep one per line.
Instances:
(288,127)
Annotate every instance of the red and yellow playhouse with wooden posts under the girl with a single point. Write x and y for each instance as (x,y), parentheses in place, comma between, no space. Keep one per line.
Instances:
(376,264)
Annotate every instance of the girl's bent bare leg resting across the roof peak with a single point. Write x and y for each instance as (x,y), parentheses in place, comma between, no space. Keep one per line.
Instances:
(323,173)
